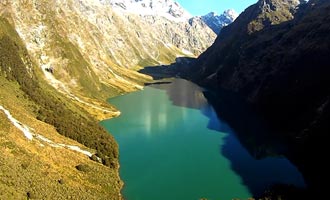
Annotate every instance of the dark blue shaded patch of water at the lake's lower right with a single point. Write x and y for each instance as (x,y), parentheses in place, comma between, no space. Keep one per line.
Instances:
(259,174)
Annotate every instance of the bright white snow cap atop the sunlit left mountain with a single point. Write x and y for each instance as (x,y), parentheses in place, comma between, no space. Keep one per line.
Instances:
(166,8)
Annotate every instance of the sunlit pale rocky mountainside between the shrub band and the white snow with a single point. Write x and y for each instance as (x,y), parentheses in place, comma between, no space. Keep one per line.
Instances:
(87,50)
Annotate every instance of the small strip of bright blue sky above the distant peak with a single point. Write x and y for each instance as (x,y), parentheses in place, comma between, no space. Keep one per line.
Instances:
(202,7)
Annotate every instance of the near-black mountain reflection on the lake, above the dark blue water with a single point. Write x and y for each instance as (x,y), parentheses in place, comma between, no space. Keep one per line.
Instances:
(250,129)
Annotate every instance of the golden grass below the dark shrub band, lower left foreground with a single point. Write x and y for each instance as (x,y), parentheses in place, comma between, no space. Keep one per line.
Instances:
(35,169)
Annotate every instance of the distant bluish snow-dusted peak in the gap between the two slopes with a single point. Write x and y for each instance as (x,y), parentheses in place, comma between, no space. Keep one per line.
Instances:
(217,22)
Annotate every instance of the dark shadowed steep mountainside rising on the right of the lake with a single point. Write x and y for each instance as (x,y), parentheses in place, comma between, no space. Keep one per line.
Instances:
(277,58)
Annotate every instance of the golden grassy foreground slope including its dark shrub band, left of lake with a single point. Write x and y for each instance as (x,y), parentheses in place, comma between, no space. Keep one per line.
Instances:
(24,165)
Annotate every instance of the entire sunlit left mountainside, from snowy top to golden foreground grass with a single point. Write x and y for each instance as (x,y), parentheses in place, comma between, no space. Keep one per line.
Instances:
(59,62)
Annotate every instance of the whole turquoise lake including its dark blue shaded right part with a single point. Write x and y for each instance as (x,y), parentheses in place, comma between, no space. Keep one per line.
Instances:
(173,146)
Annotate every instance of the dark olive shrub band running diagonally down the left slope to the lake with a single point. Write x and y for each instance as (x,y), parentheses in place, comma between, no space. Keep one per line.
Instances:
(53,107)
